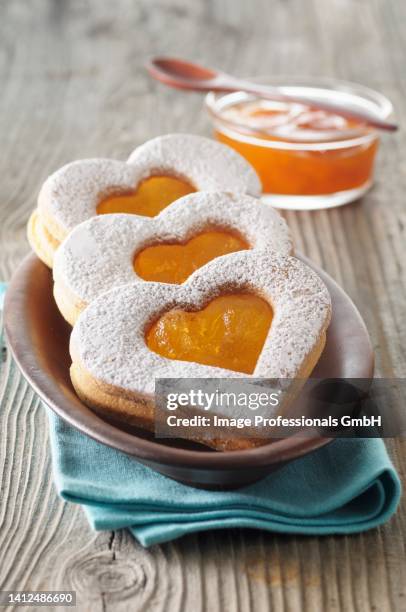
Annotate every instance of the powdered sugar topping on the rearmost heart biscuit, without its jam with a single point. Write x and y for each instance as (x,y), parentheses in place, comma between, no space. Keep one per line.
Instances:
(71,195)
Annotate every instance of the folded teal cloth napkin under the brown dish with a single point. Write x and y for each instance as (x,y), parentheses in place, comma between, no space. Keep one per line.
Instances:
(346,487)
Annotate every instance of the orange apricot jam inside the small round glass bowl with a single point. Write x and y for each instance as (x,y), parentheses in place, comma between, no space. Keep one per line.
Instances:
(316,169)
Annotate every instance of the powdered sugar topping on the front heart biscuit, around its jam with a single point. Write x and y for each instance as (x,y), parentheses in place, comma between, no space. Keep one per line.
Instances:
(108,338)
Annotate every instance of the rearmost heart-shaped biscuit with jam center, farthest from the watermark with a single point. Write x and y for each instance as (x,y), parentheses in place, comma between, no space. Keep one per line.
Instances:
(157,173)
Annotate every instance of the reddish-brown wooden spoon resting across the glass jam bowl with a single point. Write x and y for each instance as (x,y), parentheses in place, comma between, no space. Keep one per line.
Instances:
(186,75)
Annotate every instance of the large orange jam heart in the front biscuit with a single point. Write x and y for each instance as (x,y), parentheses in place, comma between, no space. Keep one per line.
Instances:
(228,333)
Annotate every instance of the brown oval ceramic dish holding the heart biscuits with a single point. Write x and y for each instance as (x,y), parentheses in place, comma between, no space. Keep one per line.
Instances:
(39,337)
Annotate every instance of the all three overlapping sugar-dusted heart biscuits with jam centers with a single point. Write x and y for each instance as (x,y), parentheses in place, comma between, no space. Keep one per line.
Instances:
(121,279)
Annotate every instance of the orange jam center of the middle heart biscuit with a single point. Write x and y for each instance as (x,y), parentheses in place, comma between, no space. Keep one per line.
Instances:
(173,263)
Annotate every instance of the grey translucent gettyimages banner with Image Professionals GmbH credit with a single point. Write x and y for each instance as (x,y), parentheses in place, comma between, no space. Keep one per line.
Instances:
(259,408)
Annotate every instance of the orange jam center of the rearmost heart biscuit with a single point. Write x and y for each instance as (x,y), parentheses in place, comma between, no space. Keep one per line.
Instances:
(153,195)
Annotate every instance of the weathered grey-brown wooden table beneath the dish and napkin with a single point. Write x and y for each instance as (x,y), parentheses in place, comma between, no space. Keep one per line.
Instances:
(72,86)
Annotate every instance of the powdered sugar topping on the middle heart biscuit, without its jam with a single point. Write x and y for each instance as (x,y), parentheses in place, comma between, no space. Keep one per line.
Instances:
(98,254)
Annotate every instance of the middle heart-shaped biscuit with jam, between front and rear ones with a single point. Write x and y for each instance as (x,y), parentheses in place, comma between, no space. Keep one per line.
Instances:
(112,250)
